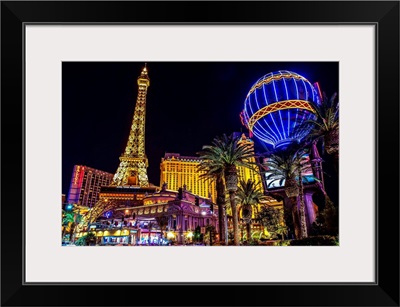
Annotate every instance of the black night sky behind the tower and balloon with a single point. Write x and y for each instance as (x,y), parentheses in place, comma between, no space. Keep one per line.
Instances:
(188,104)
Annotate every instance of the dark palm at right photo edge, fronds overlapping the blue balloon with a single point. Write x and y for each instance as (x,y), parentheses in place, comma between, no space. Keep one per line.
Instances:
(326,126)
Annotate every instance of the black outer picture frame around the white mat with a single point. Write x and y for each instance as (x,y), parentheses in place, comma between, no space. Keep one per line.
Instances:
(16,14)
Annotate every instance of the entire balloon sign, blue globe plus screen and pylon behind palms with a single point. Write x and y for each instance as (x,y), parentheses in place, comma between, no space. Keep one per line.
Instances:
(274,107)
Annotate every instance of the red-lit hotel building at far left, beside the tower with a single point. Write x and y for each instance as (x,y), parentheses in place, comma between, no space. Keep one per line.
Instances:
(86,183)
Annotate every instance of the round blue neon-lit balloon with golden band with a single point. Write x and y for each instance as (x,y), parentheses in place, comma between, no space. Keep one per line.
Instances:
(263,112)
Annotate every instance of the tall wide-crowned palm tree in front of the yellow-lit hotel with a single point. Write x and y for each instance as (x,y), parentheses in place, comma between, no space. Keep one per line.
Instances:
(225,154)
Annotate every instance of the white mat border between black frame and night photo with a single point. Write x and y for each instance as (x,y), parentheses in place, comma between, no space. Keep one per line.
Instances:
(48,45)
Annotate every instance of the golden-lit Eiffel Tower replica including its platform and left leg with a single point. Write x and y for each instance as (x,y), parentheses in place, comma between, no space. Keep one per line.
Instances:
(130,183)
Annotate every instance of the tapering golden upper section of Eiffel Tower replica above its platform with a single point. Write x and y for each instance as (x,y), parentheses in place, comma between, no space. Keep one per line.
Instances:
(132,169)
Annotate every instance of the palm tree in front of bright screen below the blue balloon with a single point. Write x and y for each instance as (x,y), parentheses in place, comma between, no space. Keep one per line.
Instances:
(287,166)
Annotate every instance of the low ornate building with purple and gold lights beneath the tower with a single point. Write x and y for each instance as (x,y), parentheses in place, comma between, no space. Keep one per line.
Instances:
(140,225)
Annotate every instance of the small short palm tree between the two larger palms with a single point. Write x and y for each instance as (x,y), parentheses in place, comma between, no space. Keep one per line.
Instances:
(249,194)
